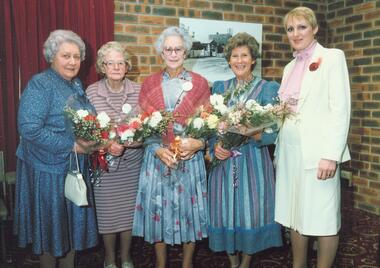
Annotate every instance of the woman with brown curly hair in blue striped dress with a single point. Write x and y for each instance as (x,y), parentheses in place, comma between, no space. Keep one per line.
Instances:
(241,187)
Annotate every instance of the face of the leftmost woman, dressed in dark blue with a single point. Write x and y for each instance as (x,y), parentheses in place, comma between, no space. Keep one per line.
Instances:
(66,61)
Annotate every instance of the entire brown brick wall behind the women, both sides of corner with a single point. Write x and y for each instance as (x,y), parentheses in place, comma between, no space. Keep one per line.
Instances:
(348,24)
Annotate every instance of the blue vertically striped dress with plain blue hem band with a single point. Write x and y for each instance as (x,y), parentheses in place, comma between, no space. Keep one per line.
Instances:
(241,210)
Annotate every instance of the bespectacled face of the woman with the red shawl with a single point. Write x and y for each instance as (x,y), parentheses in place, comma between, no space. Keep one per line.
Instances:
(173,52)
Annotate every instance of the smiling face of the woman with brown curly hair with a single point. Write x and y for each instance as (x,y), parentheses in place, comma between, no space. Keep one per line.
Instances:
(241,61)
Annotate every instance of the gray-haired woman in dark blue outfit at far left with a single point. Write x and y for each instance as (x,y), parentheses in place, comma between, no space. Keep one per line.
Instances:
(43,216)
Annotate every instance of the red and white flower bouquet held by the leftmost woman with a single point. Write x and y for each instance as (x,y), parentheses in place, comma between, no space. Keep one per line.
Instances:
(88,126)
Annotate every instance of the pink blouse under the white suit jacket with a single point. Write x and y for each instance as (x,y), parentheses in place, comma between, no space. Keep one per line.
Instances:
(291,85)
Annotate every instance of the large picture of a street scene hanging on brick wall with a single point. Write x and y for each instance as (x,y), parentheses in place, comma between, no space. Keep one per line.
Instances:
(209,38)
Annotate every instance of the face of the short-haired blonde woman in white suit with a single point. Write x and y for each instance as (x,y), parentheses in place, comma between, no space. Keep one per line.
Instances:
(300,33)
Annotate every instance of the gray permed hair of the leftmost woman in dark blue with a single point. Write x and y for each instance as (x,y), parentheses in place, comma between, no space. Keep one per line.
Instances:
(57,38)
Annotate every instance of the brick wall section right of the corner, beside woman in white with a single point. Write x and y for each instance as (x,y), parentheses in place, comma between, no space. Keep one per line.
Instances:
(354,26)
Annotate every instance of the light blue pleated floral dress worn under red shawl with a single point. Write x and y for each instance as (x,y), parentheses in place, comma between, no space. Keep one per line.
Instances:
(171,205)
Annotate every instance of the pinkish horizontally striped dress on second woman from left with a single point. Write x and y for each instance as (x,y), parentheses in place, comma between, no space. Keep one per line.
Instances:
(115,197)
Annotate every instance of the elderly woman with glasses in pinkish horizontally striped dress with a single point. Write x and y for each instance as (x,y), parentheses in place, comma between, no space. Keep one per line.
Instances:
(116,193)
